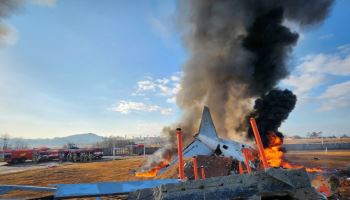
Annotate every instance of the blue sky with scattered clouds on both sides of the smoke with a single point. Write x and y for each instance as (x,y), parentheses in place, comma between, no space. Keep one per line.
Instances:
(113,68)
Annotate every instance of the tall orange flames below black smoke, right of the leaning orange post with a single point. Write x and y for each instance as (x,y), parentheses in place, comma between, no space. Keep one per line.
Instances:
(274,154)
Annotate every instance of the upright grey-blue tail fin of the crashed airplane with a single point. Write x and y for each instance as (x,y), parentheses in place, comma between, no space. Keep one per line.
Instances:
(207,127)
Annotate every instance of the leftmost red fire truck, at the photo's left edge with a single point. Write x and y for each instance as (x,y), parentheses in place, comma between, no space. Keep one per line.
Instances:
(16,156)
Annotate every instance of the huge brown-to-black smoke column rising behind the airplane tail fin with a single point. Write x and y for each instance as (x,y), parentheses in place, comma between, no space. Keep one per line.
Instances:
(237,52)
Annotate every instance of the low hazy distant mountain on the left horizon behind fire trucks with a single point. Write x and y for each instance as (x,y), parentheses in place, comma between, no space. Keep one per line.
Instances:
(84,139)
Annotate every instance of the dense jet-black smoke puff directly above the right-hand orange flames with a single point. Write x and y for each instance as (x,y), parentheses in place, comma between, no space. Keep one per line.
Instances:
(270,110)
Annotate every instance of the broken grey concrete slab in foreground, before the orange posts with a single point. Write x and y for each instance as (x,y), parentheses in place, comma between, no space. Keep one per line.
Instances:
(272,184)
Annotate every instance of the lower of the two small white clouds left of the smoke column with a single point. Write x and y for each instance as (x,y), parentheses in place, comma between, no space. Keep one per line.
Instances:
(126,107)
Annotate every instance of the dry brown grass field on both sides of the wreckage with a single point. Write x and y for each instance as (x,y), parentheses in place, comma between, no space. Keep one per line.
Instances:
(123,170)
